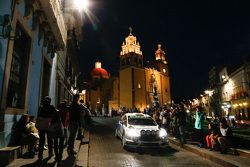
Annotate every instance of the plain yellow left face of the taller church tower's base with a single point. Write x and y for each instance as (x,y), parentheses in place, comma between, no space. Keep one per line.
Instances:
(125,96)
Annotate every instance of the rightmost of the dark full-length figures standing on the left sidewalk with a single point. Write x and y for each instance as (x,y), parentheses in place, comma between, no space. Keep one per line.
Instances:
(74,123)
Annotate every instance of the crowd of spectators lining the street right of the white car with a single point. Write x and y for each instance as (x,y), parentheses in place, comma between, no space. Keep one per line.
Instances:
(175,118)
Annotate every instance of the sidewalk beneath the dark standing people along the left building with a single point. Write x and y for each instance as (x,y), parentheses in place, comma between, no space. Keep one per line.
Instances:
(68,161)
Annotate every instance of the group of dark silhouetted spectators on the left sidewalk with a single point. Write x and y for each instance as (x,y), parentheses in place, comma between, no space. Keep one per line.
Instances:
(53,129)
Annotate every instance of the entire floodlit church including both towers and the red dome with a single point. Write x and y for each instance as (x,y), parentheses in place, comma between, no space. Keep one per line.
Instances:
(136,86)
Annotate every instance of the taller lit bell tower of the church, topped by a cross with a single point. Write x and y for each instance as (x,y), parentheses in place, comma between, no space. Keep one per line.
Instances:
(131,54)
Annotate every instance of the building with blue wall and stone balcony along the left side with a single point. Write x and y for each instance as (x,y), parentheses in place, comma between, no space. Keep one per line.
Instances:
(38,57)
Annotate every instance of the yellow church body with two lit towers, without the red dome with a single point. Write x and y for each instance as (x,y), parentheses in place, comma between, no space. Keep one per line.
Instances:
(140,86)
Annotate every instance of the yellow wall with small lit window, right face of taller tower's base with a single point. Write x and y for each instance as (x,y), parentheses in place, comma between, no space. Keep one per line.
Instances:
(139,89)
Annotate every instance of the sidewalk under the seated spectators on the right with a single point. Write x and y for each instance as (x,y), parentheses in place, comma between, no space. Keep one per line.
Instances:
(228,160)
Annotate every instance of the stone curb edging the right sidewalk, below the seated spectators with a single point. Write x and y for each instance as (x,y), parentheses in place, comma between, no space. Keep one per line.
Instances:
(202,154)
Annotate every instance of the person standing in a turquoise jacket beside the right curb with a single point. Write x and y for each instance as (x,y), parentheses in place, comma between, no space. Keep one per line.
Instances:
(199,122)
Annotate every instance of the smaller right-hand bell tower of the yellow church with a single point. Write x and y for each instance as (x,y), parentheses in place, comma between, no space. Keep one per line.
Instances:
(160,63)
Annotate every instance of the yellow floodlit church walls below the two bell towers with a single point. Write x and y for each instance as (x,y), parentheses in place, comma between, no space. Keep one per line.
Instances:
(143,94)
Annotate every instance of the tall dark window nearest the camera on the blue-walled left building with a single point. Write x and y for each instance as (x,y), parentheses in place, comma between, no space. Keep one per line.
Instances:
(18,71)
